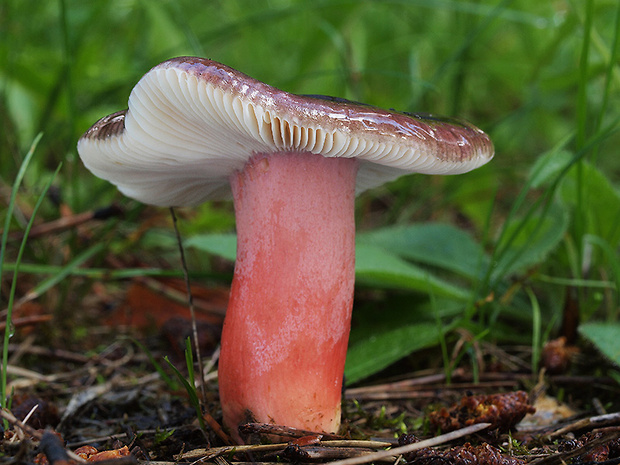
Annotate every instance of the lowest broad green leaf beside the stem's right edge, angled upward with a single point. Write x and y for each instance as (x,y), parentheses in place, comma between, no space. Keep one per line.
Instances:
(378,352)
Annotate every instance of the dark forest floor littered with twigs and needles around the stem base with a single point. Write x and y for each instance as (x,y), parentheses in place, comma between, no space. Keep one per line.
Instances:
(108,391)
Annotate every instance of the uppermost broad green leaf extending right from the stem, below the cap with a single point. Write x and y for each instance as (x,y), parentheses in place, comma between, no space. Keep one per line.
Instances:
(436,244)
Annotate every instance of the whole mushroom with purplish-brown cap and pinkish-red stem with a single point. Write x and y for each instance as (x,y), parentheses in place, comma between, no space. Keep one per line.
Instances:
(197,130)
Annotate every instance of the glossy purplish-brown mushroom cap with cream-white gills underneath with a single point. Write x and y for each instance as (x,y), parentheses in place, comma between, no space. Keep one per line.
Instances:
(192,122)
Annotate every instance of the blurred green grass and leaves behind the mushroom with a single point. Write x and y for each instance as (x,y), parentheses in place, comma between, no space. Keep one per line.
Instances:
(512,252)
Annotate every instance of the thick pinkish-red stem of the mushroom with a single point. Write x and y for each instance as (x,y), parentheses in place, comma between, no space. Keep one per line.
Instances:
(287,325)
